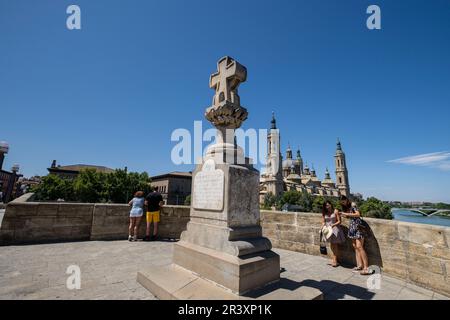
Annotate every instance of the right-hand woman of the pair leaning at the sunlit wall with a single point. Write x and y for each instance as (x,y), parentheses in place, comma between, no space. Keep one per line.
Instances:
(355,232)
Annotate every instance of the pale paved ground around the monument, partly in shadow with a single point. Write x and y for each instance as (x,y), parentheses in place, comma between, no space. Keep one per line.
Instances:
(109,268)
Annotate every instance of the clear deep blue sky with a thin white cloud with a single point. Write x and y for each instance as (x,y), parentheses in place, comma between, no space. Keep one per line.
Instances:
(112,93)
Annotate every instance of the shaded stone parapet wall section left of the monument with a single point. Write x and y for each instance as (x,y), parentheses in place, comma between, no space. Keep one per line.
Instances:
(36,222)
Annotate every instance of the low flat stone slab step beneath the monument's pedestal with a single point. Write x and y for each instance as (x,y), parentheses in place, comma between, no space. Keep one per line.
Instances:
(173,282)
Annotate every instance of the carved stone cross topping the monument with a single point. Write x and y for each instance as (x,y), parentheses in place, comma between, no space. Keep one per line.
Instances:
(226,80)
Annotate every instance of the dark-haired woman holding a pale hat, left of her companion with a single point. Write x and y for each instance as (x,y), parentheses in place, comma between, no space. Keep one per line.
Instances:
(332,231)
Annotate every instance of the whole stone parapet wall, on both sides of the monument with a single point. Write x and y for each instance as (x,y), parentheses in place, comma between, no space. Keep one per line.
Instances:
(417,253)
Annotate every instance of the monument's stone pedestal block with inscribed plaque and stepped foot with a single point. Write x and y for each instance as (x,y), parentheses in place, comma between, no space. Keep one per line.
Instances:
(223,242)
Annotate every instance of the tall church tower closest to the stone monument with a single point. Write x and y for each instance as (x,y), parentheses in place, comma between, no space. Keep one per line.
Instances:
(274,176)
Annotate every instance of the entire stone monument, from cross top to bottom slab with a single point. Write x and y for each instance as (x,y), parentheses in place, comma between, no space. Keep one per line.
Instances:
(222,254)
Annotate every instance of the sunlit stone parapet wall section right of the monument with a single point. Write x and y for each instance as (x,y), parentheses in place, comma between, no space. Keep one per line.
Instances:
(417,253)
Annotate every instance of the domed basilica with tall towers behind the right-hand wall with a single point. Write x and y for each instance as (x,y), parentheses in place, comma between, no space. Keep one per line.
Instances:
(293,174)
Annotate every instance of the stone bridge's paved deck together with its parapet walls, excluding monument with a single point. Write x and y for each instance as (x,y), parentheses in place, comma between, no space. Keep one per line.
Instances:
(414,258)
